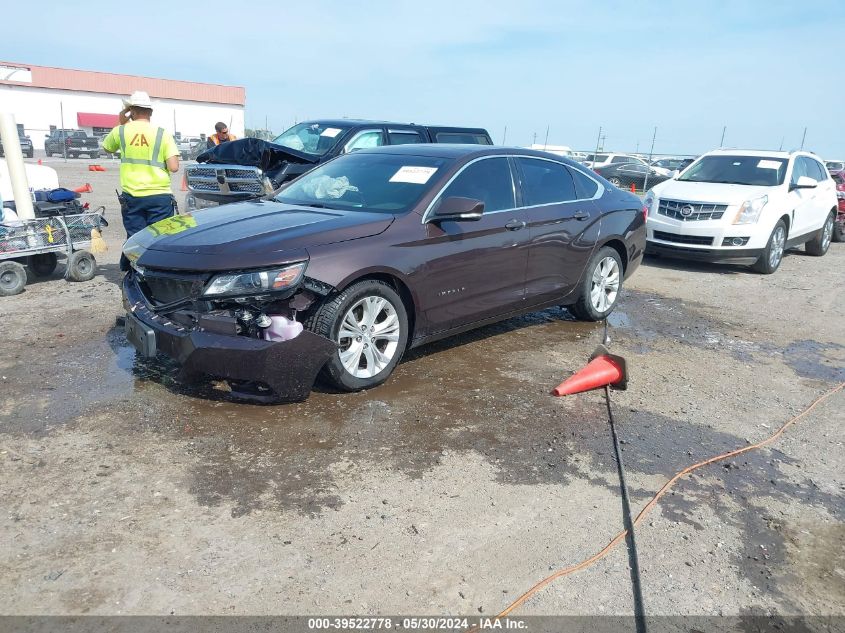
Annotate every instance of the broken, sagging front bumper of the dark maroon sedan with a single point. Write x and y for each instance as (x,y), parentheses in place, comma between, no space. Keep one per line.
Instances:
(288,368)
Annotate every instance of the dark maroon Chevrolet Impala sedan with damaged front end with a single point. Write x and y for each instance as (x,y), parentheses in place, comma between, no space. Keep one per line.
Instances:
(372,253)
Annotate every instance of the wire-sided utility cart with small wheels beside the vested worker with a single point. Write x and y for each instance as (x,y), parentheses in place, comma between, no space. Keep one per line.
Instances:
(37,243)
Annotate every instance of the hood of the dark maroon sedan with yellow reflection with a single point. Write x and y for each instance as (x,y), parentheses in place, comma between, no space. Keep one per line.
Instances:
(247,235)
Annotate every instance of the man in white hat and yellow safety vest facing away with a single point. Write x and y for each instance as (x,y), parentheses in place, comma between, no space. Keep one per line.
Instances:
(148,155)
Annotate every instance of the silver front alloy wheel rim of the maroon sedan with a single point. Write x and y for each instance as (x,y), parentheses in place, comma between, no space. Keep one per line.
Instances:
(368,336)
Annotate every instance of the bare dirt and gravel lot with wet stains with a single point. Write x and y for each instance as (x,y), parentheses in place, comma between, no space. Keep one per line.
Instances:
(450,489)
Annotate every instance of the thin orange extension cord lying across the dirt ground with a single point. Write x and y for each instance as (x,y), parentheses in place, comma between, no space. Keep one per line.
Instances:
(650,505)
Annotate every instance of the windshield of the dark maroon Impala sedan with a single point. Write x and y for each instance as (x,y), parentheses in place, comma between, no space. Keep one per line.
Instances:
(387,183)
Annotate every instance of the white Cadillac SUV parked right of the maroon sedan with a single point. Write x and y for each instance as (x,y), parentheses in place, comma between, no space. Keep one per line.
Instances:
(743,206)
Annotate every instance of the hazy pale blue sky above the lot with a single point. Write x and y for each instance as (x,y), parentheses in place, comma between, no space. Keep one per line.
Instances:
(764,69)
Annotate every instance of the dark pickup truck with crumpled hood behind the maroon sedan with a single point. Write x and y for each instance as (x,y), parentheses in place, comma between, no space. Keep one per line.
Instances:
(250,168)
